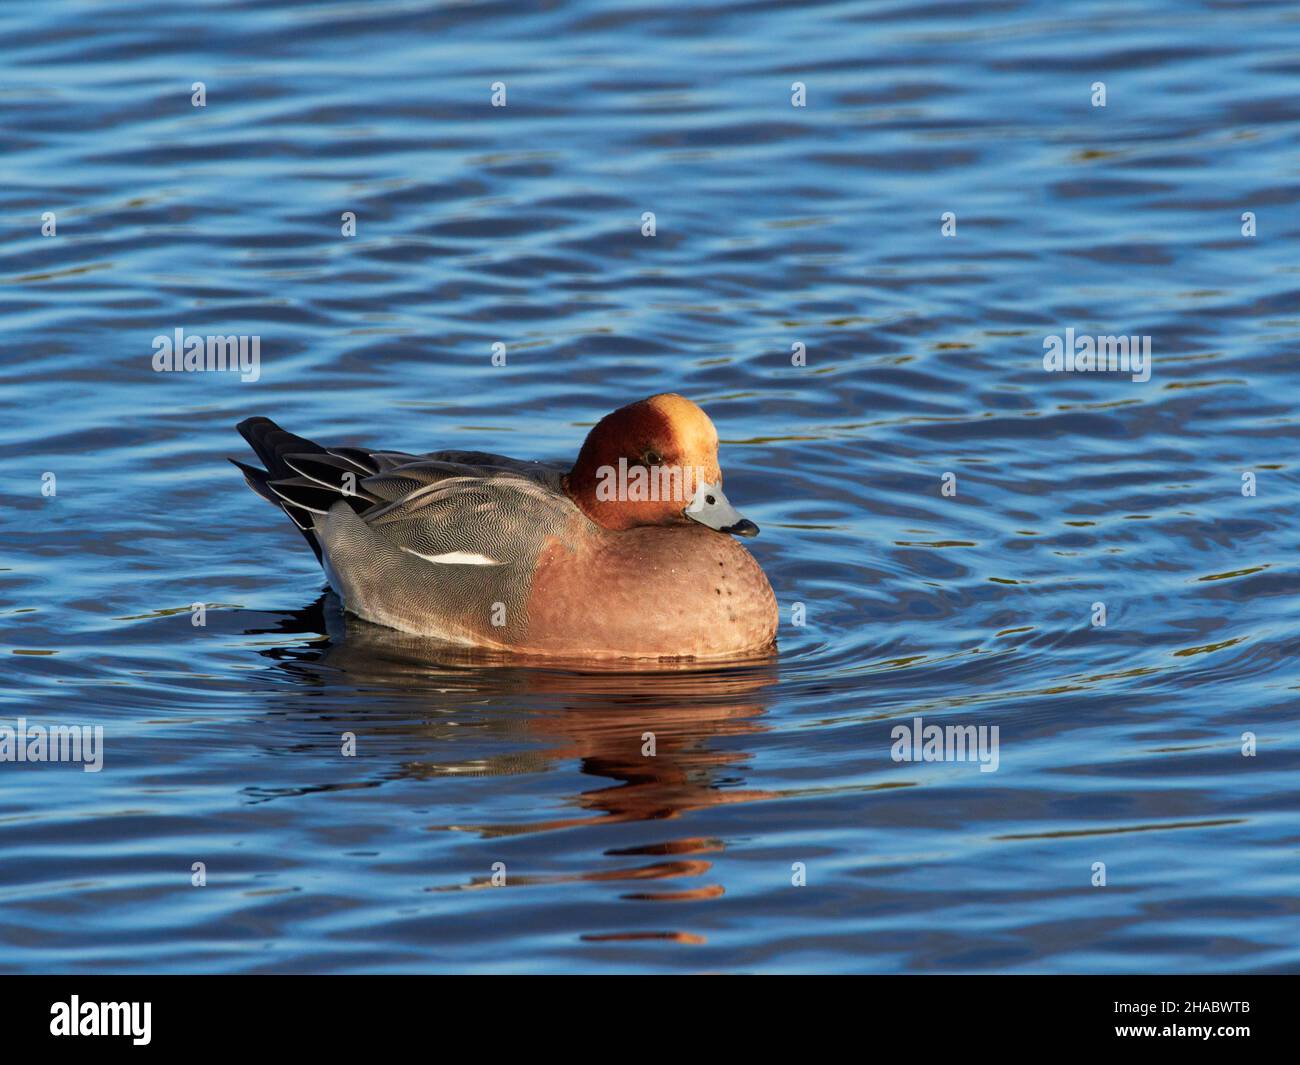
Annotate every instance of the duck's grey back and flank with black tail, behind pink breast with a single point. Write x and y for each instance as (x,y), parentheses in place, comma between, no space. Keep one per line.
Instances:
(460,532)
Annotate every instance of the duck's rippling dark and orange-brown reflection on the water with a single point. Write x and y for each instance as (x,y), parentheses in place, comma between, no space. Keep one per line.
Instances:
(660,735)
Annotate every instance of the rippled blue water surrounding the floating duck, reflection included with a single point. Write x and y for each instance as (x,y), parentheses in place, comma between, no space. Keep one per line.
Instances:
(777,226)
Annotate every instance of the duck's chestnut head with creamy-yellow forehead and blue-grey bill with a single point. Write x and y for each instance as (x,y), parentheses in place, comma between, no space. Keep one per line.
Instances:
(655,464)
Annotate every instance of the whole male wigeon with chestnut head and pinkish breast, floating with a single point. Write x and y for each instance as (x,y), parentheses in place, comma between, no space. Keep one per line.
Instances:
(629,555)
